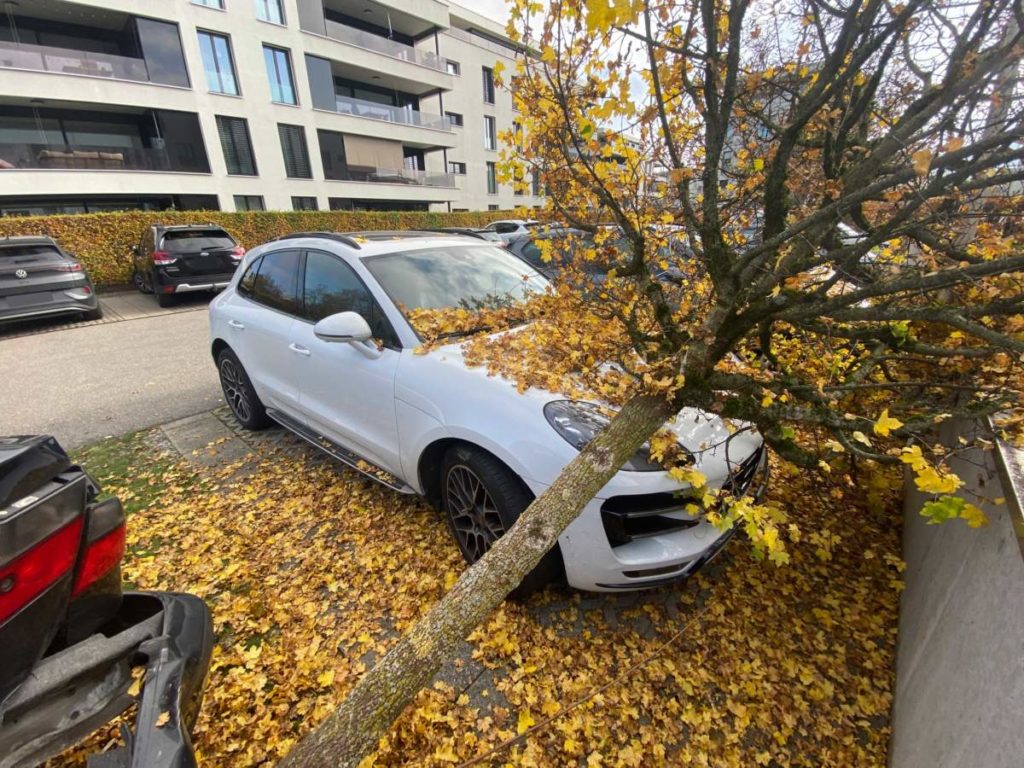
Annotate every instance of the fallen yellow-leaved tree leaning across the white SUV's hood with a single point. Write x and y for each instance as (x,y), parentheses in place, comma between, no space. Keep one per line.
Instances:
(780,228)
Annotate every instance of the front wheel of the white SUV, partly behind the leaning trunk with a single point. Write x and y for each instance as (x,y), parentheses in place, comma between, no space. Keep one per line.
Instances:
(499,497)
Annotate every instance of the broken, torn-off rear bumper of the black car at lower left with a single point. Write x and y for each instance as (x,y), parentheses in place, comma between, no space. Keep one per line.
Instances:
(76,691)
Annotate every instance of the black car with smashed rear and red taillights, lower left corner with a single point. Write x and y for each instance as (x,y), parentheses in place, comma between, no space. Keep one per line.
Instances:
(71,639)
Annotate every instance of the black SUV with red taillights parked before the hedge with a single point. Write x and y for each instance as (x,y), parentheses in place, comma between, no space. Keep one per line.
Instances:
(183,259)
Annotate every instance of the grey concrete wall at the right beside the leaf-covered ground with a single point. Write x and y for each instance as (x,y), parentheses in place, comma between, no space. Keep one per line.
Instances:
(960,688)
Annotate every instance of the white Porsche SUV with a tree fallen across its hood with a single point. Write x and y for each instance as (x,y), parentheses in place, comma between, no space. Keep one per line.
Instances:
(312,334)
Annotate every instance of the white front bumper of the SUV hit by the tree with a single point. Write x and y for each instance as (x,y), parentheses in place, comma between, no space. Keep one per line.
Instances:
(592,563)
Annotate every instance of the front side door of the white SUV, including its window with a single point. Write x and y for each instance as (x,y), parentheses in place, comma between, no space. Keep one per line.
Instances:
(347,395)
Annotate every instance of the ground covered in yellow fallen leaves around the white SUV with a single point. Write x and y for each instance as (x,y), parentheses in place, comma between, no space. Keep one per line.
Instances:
(312,572)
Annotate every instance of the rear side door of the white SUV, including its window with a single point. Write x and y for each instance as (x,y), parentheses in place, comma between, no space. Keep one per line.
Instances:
(261,318)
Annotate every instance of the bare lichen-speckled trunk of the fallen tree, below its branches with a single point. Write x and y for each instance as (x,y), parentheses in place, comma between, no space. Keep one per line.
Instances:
(353,732)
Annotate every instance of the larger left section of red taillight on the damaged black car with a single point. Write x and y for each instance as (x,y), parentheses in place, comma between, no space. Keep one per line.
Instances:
(25,579)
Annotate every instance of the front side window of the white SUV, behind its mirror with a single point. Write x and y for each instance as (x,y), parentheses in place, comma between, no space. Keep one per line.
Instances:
(331,287)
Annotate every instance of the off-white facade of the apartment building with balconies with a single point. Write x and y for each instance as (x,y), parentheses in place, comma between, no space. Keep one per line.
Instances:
(438,31)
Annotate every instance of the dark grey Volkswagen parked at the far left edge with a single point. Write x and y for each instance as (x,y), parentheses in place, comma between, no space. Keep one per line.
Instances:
(38,278)
